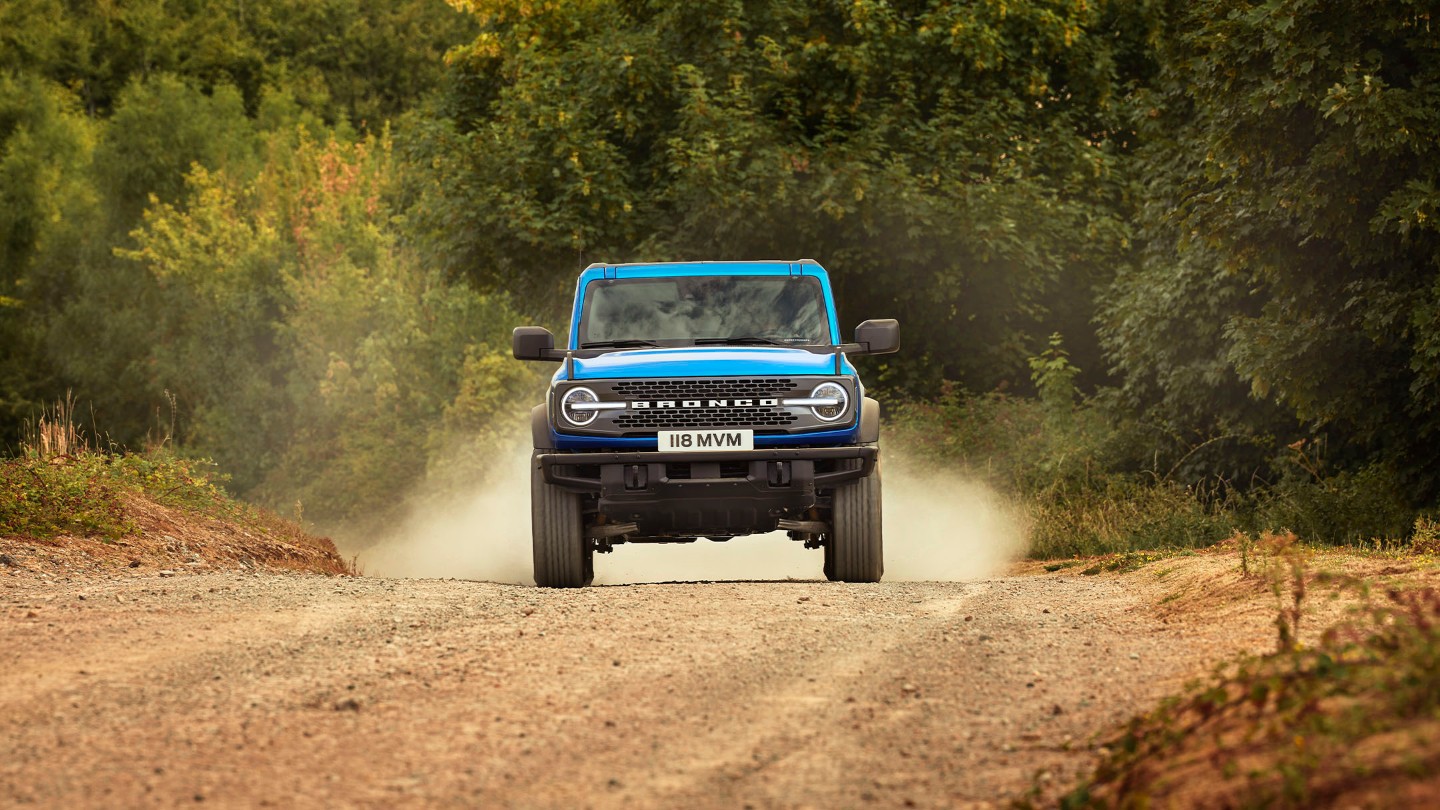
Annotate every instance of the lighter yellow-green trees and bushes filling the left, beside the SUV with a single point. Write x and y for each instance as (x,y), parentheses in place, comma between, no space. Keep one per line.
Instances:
(269,292)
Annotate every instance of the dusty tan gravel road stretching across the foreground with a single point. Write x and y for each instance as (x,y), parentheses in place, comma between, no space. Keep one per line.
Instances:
(271,690)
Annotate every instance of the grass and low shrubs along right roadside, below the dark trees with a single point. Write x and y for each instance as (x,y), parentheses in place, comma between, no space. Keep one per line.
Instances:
(1091,484)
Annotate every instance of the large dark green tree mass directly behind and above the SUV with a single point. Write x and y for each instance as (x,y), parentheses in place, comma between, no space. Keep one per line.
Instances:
(953,162)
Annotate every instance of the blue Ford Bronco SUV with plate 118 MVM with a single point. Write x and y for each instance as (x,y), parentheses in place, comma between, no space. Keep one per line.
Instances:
(705,400)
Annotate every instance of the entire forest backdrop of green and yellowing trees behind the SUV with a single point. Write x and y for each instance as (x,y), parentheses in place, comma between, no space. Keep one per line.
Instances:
(1167,270)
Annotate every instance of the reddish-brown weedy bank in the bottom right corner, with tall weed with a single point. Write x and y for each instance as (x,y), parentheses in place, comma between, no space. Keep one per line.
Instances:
(1304,726)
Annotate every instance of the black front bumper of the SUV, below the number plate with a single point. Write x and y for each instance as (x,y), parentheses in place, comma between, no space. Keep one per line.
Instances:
(670,495)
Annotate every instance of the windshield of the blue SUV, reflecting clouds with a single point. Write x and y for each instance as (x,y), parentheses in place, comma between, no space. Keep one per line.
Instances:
(714,309)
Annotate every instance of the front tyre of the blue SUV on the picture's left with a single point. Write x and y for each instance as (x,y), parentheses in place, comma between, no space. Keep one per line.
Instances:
(564,557)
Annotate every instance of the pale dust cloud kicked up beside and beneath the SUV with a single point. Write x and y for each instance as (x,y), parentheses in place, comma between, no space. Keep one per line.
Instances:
(938,527)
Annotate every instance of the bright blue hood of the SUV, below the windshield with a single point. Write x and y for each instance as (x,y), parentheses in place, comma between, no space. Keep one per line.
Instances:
(709,361)
